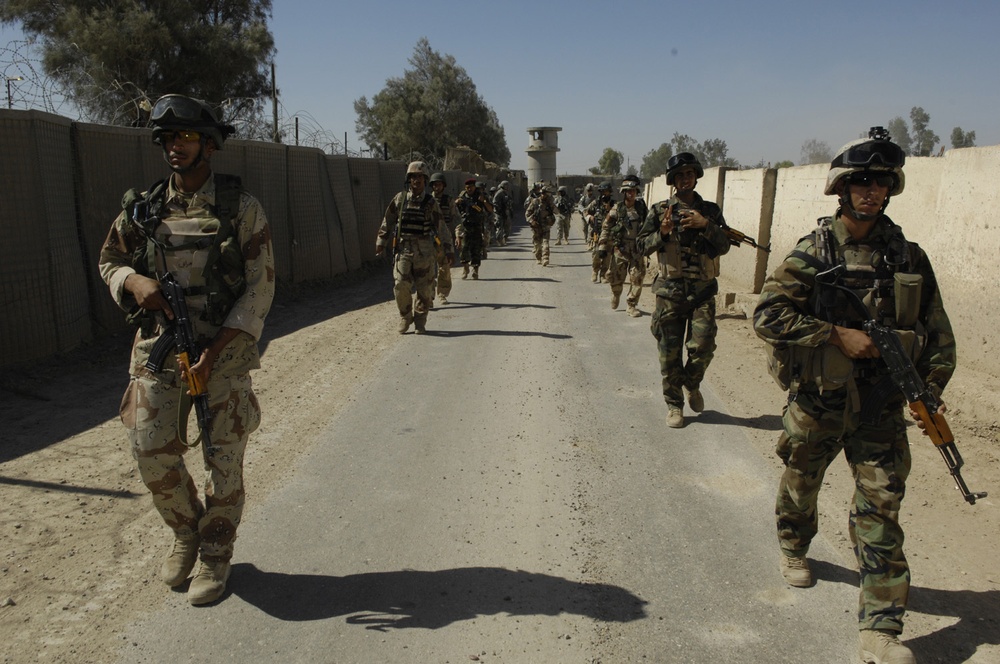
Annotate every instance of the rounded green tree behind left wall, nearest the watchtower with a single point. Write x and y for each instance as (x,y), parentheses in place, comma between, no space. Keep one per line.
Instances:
(432,107)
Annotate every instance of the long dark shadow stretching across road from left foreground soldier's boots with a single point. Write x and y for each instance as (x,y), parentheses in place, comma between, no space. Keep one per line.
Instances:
(428,599)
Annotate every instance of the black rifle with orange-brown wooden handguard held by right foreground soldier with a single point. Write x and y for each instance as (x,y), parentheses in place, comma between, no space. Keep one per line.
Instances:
(904,377)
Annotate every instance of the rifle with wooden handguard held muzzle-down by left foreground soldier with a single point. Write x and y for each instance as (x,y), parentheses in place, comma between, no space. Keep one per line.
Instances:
(180,335)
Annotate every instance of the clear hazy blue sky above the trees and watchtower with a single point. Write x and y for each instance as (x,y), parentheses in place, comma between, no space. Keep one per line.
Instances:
(765,76)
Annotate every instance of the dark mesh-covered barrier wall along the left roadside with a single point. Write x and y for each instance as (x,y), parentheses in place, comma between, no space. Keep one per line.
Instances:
(63,184)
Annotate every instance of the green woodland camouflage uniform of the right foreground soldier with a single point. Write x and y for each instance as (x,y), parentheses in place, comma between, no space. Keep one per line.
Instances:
(822,418)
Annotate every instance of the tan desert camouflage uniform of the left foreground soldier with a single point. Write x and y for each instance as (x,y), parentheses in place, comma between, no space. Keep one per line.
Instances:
(149,409)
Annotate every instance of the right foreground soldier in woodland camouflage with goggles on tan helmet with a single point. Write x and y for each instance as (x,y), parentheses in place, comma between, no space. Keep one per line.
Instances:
(816,334)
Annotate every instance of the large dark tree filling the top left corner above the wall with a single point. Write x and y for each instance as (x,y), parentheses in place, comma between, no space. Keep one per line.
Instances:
(117,56)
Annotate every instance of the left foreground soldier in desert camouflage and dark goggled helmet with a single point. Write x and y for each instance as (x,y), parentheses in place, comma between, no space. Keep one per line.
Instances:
(207,233)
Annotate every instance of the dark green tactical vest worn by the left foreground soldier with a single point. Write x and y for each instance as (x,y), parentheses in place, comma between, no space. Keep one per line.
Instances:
(224,277)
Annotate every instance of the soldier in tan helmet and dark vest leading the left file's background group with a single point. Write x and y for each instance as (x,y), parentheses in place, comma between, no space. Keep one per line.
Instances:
(412,226)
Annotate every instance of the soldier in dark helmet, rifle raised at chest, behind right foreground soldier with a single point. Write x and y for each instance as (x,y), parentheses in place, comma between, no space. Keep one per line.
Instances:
(687,234)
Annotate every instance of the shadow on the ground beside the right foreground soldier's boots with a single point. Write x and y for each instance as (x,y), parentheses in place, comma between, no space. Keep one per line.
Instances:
(976,611)
